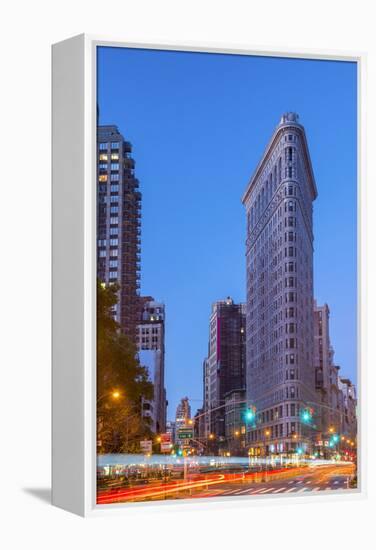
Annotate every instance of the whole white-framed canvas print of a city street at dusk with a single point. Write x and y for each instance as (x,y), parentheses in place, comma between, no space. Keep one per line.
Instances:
(206,275)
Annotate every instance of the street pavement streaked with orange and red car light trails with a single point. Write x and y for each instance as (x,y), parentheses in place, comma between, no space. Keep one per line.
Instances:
(299,480)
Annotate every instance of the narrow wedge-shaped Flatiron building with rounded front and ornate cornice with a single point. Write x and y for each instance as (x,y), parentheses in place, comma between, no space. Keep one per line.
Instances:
(279,263)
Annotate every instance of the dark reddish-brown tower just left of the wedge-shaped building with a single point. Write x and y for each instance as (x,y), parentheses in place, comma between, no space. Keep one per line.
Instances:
(224,368)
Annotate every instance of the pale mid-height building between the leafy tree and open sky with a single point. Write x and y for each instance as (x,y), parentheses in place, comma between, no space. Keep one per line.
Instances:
(151,345)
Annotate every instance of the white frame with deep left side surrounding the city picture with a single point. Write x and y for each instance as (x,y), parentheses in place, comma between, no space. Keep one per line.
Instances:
(74,269)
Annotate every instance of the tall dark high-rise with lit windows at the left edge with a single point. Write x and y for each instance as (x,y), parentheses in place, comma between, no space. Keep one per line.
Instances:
(118,224)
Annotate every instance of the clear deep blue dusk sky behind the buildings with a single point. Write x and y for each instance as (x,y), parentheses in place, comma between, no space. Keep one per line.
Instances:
(198,124)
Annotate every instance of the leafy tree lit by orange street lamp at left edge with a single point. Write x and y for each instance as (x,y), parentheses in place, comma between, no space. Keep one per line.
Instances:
(122,382)
